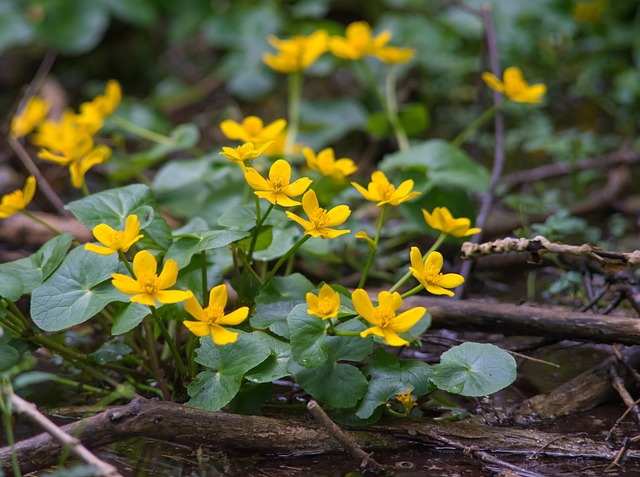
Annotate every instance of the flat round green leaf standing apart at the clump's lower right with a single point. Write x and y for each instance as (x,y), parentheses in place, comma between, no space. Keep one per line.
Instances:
(474,369)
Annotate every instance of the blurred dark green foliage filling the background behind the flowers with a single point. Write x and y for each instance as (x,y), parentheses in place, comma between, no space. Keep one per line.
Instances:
(200,62)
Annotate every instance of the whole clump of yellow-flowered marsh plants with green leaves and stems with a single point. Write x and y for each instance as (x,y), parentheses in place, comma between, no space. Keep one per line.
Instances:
(227,274)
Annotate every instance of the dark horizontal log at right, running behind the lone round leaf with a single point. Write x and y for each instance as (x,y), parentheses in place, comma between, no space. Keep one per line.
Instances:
(528,320)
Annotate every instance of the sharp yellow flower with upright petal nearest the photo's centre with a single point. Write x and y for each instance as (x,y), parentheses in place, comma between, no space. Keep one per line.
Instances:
(320,219)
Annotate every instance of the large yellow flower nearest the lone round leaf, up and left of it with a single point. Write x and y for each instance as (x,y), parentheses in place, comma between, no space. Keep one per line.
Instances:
(386,324)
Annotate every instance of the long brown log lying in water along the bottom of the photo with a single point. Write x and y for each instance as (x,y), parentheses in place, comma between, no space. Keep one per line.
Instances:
(197,428)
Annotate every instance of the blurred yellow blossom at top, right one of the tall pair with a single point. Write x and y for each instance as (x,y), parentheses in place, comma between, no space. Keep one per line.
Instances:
(359,42)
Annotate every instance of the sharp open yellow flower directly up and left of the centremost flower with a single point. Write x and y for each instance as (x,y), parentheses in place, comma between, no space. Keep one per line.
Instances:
(278,189)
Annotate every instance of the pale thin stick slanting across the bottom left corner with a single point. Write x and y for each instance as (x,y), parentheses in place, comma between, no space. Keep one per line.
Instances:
(31,411)
